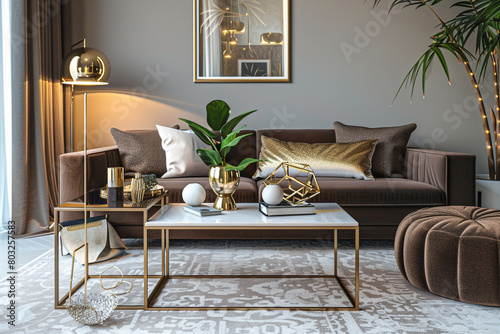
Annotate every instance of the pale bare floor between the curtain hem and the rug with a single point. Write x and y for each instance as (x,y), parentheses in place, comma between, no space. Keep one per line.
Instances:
(27,249)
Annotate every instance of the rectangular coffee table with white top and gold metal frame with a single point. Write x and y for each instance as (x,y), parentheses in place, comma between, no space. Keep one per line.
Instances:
(329,216)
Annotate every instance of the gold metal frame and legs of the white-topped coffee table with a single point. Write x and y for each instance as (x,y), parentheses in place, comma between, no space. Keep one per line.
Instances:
(150,299)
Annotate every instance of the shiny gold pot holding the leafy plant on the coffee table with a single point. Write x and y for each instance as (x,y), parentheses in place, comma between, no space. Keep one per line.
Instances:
(224,184)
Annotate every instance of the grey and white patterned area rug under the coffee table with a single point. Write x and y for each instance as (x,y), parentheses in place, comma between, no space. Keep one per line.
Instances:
(389,304)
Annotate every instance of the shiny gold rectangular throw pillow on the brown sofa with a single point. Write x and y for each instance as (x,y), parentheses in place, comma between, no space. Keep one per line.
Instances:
(332,159)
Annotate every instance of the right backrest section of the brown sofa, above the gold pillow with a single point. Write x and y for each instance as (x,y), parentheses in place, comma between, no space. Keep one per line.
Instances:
(297,135)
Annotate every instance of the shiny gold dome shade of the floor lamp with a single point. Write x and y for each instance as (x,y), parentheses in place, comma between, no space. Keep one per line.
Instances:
(86,66)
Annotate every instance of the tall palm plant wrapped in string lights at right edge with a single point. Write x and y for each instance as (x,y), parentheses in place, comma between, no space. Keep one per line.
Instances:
(480,21)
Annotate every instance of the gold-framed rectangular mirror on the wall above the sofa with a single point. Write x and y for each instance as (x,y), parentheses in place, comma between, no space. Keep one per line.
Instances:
(241,40)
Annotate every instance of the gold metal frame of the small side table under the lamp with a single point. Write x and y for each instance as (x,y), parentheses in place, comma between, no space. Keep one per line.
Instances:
(77,206)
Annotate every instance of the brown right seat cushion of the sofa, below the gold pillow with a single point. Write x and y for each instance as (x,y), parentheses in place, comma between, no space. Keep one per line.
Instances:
(381,191)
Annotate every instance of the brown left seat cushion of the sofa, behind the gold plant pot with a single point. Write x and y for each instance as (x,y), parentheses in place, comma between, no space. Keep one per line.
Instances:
(246,192)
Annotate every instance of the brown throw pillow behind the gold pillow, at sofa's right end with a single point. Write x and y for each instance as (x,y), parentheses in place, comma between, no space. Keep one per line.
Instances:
(391,146)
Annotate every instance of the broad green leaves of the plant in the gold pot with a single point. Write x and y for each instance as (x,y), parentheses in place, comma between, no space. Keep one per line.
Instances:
(218,113)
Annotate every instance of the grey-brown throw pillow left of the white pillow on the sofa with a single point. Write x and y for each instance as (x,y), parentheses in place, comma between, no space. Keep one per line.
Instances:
(141,151)
